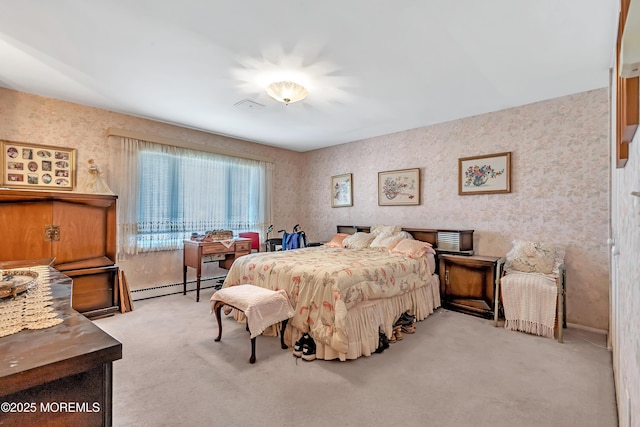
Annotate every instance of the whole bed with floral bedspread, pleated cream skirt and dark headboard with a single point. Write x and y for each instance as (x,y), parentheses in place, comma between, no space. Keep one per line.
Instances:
(344,296)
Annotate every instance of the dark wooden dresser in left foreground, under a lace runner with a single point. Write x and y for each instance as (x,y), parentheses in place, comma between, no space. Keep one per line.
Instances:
(57,370)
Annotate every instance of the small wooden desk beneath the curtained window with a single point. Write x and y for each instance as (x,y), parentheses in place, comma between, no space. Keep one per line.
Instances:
(194,251)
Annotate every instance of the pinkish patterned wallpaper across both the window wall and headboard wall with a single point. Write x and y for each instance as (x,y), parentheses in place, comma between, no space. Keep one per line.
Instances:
(559,180)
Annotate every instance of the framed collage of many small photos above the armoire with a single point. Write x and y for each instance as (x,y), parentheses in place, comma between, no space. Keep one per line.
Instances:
(40,167)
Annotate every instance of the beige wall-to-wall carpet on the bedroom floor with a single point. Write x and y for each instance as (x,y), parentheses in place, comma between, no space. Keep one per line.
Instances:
(456,370)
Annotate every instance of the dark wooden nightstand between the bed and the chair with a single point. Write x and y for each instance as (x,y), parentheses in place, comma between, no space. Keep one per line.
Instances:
(468,283)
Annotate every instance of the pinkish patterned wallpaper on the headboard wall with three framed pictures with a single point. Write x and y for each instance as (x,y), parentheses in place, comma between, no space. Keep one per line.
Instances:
(560,187)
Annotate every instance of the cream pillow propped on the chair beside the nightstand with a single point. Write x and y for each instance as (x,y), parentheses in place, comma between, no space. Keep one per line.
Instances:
(534,257)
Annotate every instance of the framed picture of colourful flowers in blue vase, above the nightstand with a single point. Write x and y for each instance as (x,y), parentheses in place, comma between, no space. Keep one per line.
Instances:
(488,174)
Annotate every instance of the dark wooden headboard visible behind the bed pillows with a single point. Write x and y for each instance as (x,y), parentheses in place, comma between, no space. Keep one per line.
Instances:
(454,241)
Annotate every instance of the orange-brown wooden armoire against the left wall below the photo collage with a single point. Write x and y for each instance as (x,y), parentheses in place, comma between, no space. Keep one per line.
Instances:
(78,230)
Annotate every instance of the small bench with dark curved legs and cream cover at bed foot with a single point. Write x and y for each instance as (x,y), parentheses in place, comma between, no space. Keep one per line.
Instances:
(262,307)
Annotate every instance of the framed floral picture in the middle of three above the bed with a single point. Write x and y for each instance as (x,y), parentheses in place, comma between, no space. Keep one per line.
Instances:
(399,188)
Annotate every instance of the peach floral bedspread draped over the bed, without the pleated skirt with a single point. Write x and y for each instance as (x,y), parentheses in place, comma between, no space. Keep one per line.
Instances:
(323,283)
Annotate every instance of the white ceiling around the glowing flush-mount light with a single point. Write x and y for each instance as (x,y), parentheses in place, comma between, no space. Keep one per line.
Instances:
(371,67)
